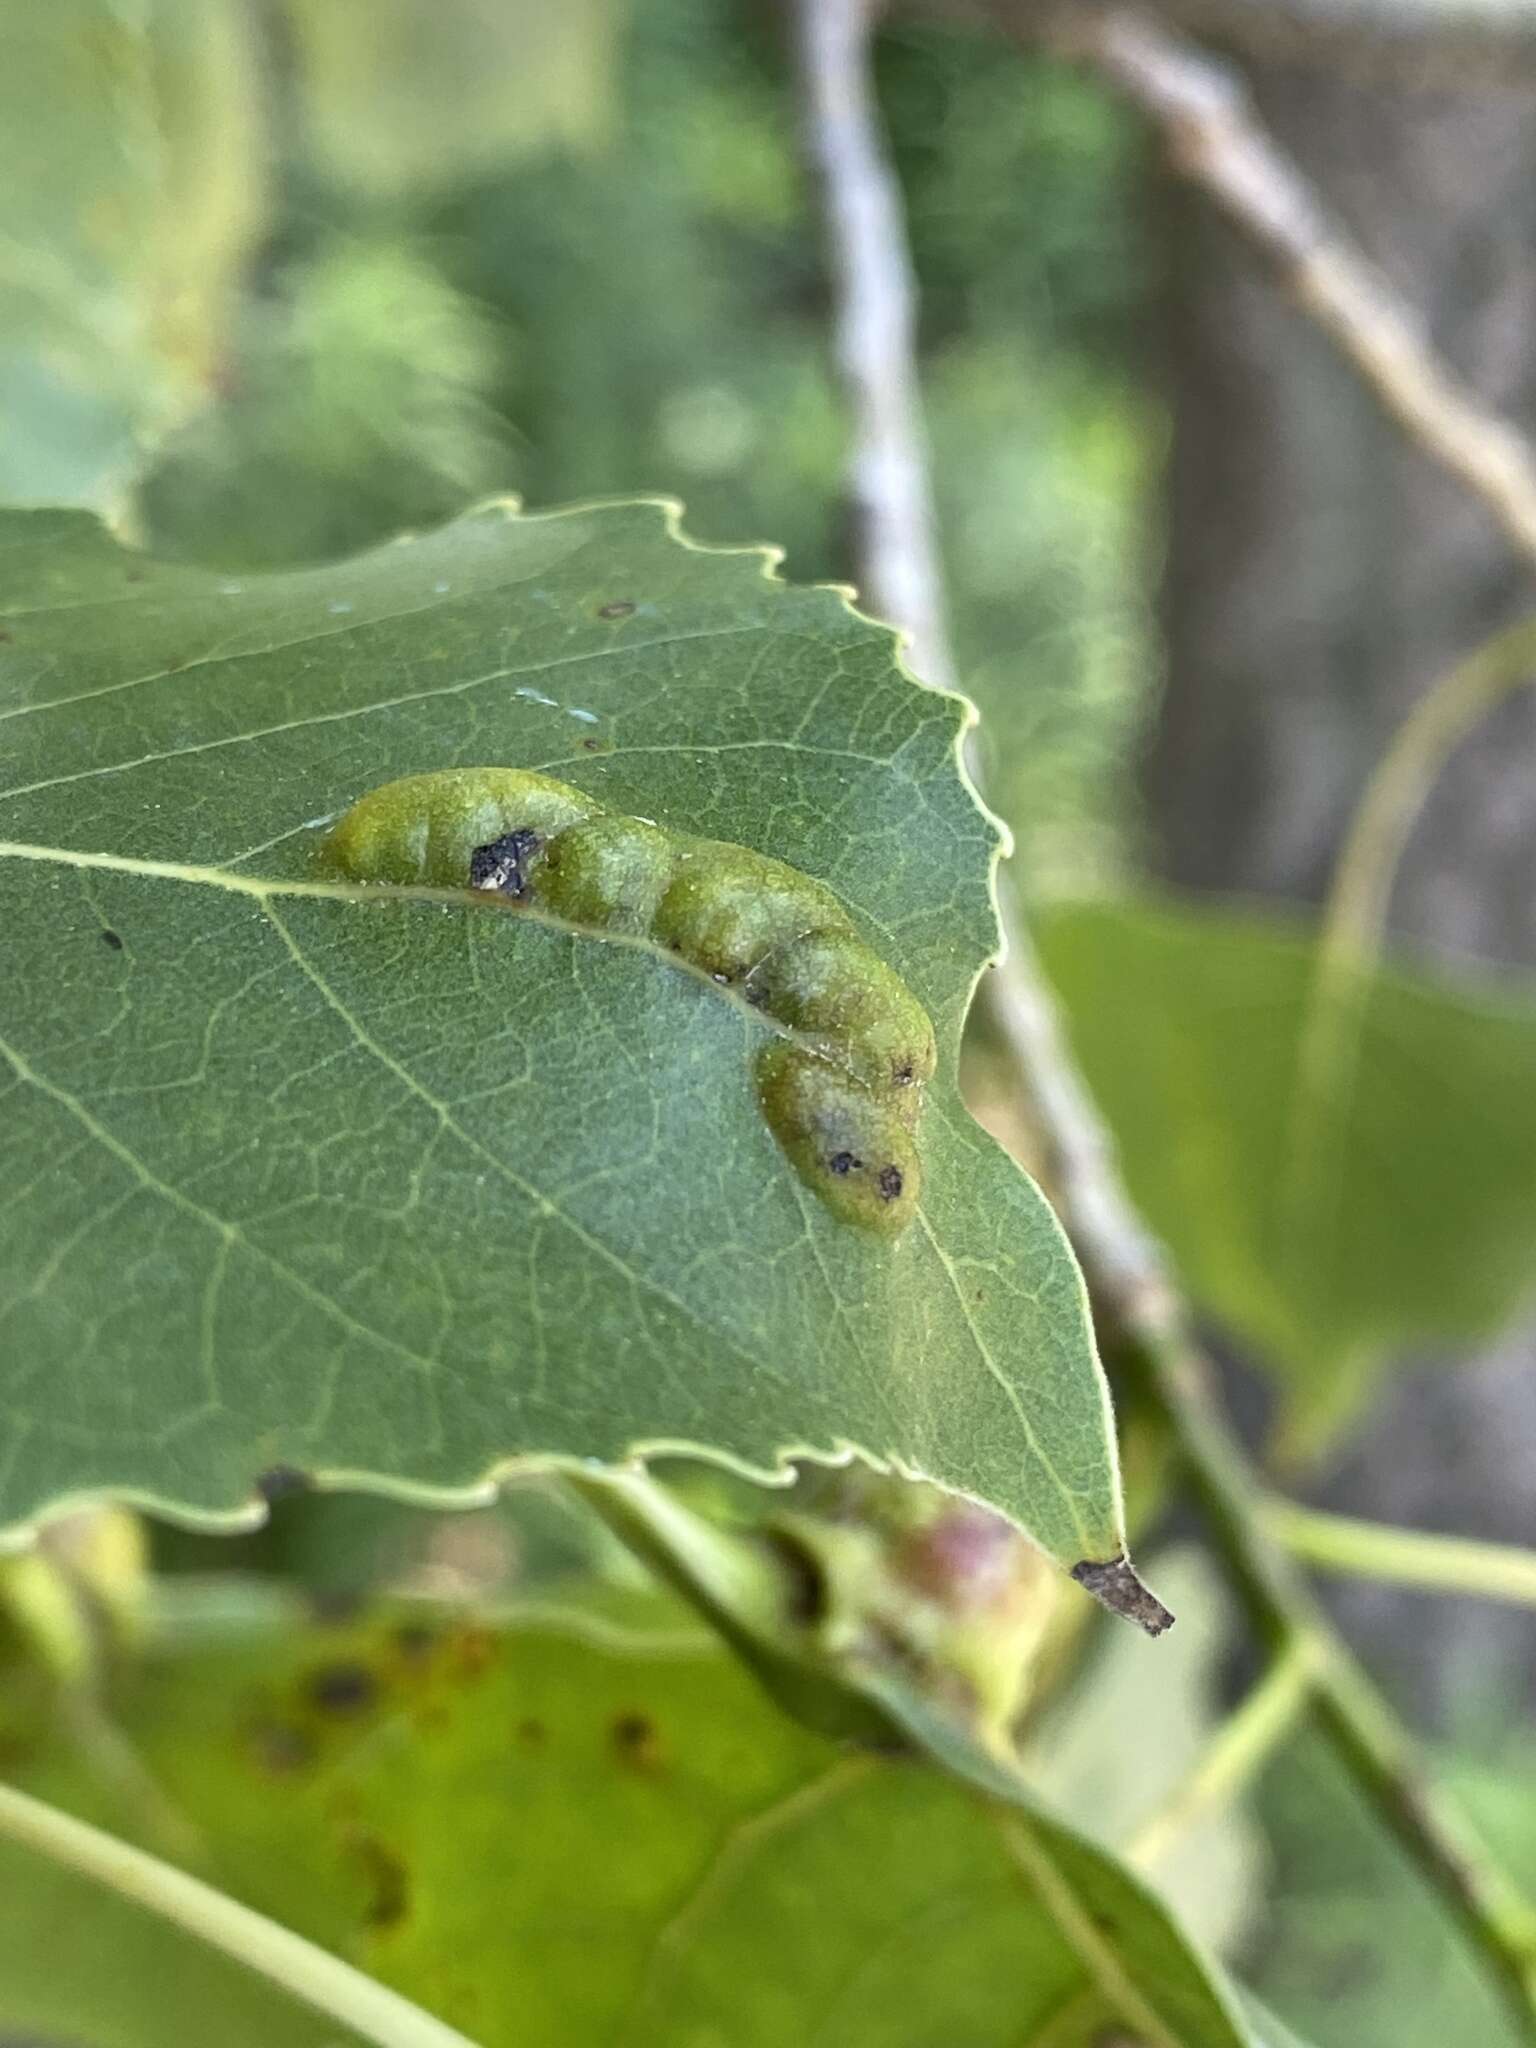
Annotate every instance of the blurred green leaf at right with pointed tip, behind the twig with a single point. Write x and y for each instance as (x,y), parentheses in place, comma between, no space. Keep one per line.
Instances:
(1187,1025)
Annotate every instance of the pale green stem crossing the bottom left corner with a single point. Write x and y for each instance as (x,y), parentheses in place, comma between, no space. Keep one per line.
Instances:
(284,1959)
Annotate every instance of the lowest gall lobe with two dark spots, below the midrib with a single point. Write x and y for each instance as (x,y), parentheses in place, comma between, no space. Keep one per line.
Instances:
(849,1146)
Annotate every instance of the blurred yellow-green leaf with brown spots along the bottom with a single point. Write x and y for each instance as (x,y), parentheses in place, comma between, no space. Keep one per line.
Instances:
(581,1832)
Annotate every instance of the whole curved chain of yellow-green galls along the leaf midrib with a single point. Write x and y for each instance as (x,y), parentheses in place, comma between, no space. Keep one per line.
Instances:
(843,1099)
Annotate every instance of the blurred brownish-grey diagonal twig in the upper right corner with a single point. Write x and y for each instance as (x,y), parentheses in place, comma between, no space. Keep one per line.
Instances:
(1218,142)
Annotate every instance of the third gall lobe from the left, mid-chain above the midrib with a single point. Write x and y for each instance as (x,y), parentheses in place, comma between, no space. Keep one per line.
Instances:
(728,908)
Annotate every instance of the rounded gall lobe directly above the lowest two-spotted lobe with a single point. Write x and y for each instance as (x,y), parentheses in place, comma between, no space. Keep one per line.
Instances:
(837,988)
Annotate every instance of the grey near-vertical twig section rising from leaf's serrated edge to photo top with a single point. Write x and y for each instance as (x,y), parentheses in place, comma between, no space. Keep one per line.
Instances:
(873,333)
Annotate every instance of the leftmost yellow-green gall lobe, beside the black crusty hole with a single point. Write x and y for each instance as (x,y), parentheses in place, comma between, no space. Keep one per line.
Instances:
(427,828)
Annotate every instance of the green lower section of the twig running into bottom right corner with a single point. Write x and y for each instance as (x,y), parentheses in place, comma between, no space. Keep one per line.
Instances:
(1359,1723)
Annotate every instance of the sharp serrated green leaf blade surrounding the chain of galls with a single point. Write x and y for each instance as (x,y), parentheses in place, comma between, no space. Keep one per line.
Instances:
(402,1191)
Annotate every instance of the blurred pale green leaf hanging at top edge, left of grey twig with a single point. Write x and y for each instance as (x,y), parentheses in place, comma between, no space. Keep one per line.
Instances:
(402,97)
